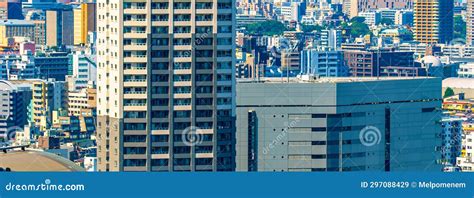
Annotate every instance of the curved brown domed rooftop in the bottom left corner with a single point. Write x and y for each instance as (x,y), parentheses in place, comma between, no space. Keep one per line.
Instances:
(30,160)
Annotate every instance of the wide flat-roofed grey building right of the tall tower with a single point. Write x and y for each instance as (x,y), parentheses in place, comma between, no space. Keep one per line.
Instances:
(324,124)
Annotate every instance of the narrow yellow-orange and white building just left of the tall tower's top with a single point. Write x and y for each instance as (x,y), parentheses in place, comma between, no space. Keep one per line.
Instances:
(84,22)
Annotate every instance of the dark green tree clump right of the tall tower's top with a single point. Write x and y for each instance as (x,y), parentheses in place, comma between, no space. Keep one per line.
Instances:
(269,28)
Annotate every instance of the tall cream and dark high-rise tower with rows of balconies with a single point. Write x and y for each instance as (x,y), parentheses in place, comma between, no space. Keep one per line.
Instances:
(165,85)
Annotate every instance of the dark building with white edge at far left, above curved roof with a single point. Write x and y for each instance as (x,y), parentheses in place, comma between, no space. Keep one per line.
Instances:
(14,99)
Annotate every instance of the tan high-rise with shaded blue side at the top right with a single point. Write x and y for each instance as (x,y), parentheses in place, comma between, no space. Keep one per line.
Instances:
(433,21)
